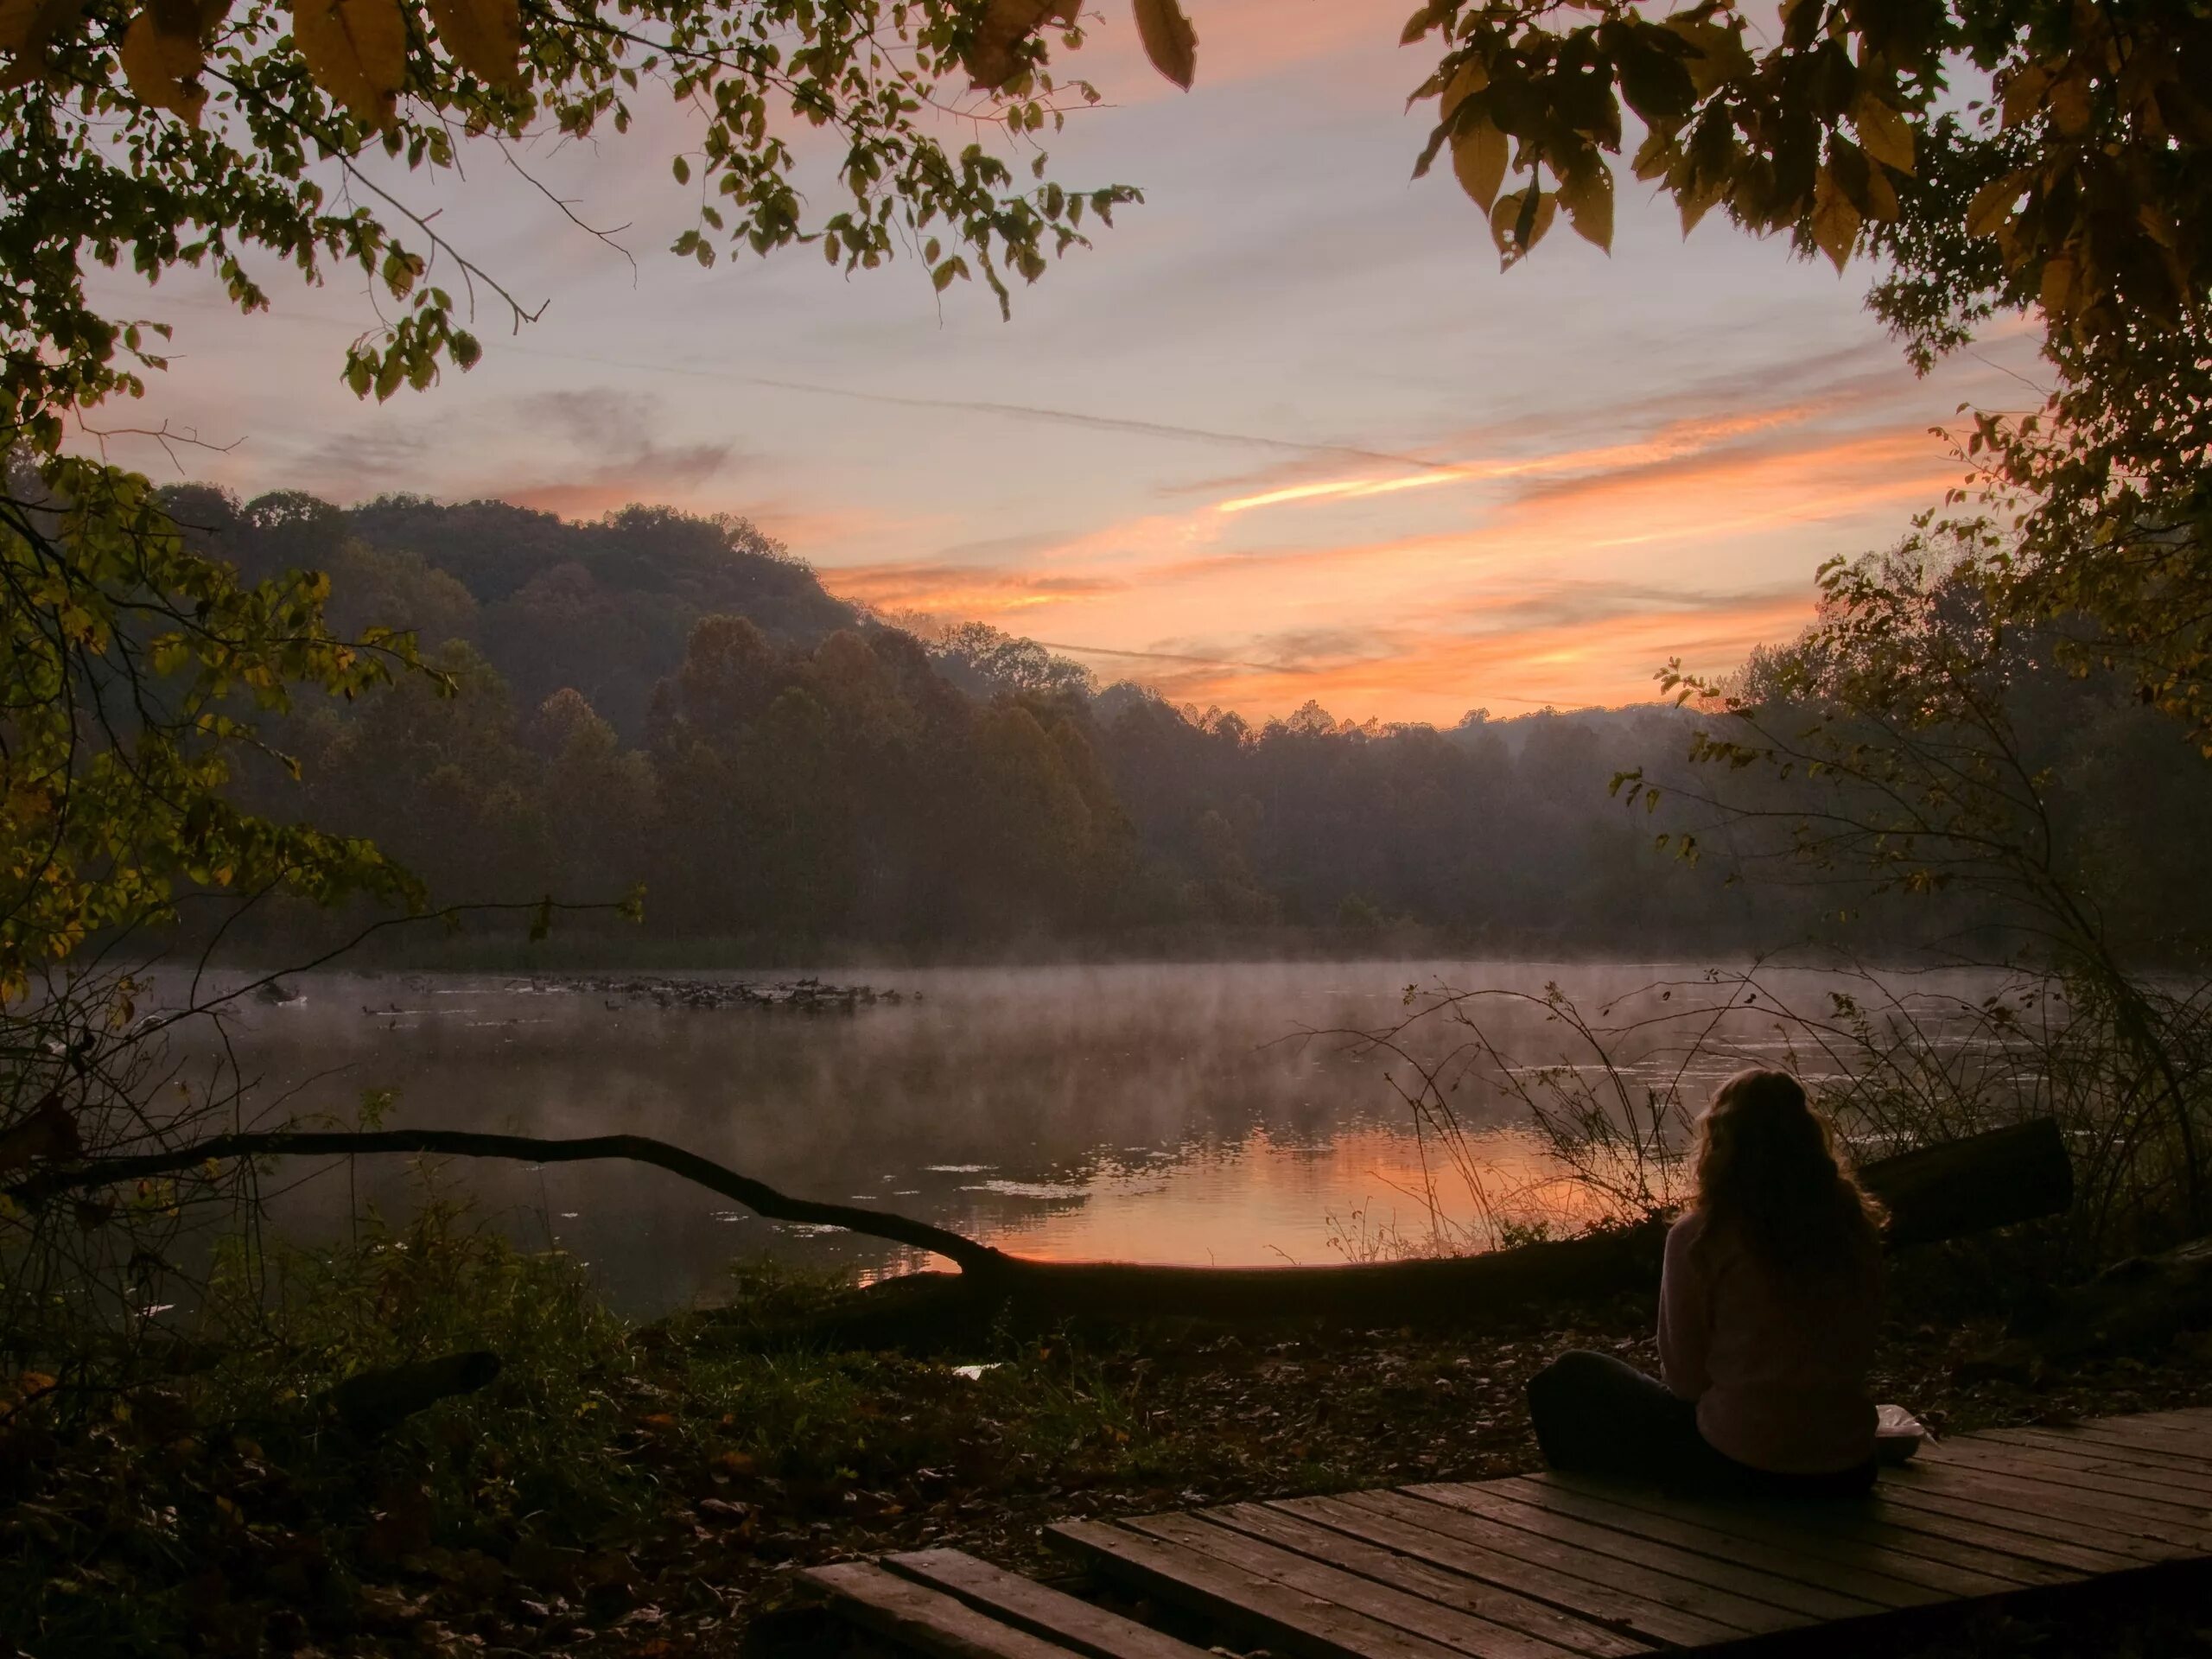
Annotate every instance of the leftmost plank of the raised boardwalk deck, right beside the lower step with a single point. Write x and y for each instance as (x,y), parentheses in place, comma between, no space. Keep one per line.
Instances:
(1286,1620)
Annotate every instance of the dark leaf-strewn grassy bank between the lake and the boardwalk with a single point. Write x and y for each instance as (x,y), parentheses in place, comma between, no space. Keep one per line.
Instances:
(649,1490)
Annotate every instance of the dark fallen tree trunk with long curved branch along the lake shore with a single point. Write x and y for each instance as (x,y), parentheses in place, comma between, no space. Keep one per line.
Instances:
(1945,1191)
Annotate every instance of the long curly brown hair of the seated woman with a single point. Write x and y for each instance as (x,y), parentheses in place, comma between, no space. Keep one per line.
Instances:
(1768,1178)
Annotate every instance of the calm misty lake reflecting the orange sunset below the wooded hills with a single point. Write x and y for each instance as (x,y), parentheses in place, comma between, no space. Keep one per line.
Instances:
(1142,1114)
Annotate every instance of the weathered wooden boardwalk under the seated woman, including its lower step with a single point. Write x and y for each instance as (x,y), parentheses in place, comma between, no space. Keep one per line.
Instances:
(1550,1567)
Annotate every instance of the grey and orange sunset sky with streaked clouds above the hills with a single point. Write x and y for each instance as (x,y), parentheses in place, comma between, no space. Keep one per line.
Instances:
(1282,435)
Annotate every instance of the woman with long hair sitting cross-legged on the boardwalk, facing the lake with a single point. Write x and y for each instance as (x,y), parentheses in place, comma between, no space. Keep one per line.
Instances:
(1766,1322)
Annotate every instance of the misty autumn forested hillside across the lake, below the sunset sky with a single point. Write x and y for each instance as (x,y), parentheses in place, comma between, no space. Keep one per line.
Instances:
(678,702)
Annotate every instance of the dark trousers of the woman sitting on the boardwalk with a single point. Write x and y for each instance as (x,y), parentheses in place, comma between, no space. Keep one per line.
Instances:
(1598,1417)
